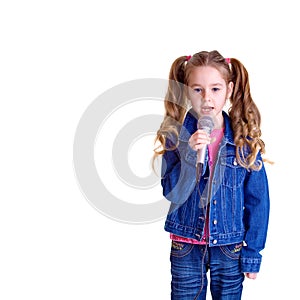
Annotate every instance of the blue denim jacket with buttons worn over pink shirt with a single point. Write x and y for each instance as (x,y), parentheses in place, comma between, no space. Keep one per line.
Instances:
(237,199)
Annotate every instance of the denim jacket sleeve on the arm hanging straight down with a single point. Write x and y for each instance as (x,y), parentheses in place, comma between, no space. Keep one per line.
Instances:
(256,218)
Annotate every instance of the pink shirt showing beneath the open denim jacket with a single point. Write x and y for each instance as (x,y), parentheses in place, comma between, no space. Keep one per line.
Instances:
(216,135)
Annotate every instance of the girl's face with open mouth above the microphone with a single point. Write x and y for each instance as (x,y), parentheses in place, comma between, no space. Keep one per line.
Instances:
(208,92)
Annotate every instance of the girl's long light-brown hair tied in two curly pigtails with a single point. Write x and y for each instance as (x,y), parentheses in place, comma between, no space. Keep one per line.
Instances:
(244,114)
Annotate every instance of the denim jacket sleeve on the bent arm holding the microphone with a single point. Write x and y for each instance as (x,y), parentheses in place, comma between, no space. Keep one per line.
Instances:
(179,173)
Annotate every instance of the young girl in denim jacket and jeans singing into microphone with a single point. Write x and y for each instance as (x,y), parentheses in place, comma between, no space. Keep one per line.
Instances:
(219,222)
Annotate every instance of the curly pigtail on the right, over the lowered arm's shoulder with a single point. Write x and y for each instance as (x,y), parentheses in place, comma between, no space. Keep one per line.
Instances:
(245,119)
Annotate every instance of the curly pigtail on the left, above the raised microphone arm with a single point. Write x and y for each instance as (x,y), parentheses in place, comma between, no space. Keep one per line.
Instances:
(175,107)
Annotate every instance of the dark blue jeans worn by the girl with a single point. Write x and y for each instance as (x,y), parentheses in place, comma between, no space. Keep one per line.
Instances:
(189,266)
